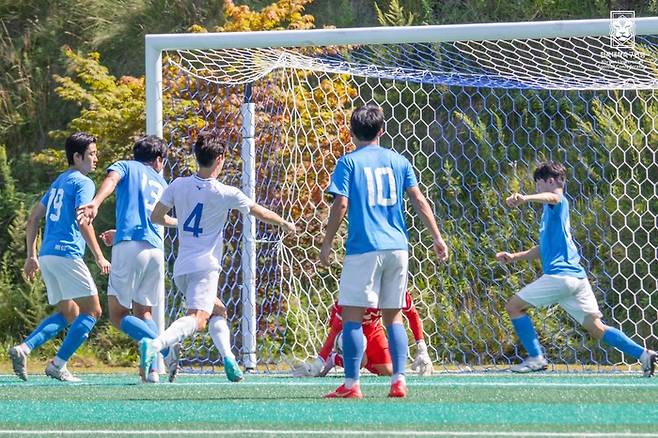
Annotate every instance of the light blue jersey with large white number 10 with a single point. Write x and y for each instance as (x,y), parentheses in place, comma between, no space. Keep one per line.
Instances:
(374,180)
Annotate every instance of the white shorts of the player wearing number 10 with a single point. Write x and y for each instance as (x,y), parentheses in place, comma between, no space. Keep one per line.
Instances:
(375,279)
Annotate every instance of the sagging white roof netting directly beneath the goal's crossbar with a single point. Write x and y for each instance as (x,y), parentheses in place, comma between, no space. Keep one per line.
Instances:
(561,63)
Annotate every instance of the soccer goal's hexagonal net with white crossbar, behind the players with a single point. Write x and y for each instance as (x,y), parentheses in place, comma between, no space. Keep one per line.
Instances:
(474,108)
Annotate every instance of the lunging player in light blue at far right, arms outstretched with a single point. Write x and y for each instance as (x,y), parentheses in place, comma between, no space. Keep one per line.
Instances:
(564,281)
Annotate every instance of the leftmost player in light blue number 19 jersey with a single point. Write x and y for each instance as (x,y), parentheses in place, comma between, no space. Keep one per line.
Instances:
(68,281)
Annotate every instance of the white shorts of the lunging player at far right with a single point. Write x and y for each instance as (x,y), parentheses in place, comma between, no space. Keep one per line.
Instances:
(573,294)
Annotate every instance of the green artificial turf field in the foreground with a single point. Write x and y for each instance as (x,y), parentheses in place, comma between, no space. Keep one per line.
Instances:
(496,404)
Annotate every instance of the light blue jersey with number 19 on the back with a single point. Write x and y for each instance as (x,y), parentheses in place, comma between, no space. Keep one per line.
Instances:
(62,236)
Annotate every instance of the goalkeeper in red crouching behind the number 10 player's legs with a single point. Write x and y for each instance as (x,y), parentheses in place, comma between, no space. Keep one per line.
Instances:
(377,358)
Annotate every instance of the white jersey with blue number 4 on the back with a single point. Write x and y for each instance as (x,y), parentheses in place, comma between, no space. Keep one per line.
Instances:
(202,206)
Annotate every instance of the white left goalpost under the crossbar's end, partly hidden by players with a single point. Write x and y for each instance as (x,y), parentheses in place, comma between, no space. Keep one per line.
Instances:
(153,88)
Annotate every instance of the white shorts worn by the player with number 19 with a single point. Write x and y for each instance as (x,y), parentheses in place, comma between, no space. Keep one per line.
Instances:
(66,278)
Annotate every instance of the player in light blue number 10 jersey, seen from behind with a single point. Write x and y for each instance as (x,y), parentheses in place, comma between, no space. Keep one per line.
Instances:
(369,185)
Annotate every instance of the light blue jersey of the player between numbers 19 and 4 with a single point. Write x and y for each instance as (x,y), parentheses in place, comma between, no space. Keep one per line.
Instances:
(137,193)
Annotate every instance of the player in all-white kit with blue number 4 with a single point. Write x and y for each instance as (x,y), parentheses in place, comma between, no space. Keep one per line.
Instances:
(202,204)
